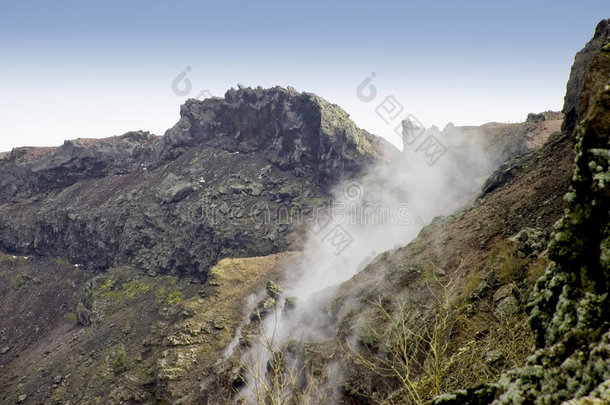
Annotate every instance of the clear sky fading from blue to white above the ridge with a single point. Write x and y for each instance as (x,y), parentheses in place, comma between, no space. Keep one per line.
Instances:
(93,69)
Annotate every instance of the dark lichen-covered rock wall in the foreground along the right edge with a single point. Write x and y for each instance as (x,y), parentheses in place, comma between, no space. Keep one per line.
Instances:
(570,311)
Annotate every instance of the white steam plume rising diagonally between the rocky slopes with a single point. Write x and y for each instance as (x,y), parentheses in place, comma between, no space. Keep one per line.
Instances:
(384,209)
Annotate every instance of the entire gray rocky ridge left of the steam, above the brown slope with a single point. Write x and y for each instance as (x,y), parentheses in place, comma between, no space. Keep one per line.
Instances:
(211,187)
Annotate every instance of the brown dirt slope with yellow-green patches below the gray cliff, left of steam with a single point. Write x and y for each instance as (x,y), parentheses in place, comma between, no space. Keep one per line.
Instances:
(152,339)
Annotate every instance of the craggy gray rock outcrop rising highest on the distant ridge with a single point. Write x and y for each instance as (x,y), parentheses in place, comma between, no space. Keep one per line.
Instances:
(296,131)
